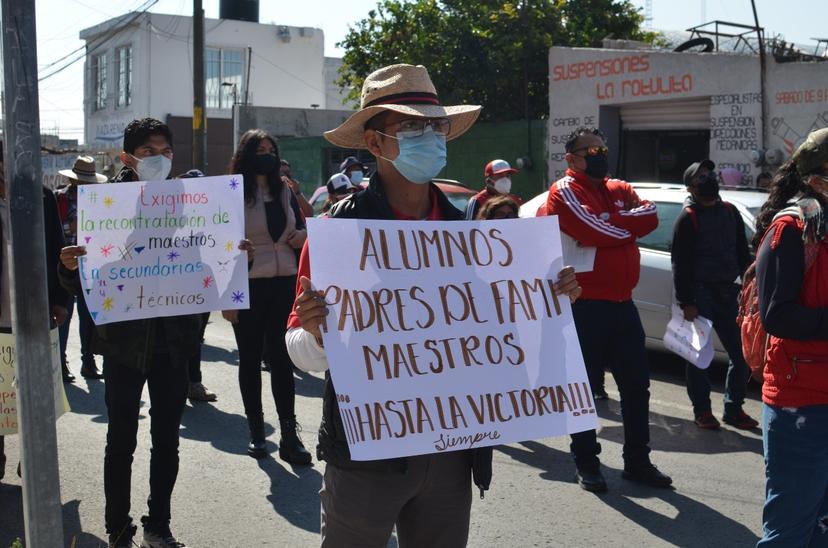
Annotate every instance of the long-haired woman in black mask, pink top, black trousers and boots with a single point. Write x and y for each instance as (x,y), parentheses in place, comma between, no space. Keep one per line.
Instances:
(276,227)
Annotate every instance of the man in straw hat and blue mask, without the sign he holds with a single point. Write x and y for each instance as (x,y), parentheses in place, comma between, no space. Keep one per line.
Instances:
(428,497)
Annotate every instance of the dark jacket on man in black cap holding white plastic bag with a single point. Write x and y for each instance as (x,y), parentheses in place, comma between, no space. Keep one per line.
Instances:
(709,246)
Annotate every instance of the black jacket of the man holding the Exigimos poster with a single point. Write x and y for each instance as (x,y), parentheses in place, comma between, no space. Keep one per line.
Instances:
(133,343)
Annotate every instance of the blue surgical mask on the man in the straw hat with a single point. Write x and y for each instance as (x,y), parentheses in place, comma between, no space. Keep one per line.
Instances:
(422,157)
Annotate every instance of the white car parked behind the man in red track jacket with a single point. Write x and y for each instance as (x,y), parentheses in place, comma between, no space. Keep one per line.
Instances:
(654,294)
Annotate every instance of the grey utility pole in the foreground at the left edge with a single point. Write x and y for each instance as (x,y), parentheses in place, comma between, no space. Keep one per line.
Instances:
(27,258)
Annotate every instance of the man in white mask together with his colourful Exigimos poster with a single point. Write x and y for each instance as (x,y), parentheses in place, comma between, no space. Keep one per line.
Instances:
(152,256)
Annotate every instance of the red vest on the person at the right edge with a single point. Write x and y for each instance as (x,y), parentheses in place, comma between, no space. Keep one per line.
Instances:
(796,372)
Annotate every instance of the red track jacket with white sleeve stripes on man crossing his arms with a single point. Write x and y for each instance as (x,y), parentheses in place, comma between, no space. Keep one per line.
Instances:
(608,217)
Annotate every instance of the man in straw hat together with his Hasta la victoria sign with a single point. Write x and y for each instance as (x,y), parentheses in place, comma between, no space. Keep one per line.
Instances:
(420,330)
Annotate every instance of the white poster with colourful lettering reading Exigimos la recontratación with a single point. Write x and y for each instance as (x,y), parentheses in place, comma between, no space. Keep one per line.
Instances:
(162,248)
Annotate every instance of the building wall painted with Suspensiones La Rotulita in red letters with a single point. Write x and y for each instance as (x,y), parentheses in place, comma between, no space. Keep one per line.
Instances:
(595,86)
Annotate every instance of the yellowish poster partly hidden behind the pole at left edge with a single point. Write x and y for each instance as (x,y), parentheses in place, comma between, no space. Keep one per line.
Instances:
(8,382)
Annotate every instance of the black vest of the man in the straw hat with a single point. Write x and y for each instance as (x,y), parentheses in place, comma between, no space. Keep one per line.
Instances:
(371,203)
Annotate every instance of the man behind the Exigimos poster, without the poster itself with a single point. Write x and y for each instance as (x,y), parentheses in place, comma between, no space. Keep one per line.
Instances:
(152,351)
